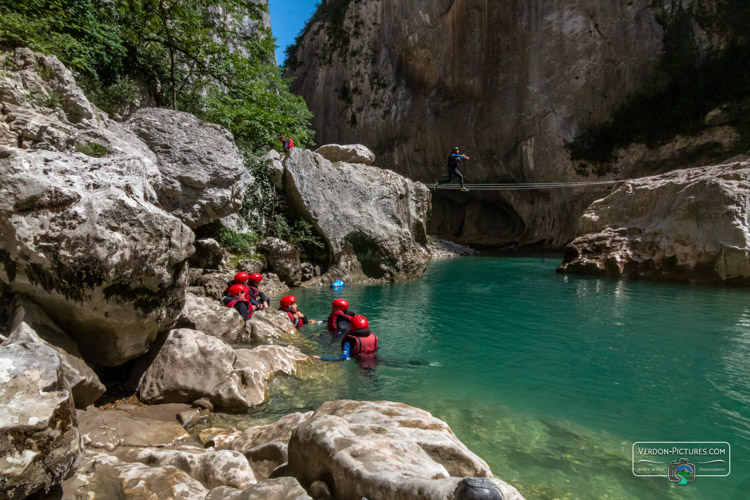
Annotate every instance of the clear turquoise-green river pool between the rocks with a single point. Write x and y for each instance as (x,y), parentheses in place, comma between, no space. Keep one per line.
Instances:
(549,378)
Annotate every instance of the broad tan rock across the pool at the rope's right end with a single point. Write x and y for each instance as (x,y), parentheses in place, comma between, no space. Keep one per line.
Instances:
(687,225)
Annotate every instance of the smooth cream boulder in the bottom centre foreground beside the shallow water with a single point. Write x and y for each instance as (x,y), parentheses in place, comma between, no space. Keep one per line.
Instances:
(393,450)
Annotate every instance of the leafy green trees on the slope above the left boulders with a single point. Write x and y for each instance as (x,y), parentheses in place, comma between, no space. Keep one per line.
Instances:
(209,57)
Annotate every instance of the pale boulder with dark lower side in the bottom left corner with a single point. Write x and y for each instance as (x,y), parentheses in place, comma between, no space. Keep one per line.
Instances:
(39,441)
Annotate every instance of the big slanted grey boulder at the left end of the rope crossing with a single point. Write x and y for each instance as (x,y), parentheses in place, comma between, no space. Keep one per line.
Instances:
(372,220)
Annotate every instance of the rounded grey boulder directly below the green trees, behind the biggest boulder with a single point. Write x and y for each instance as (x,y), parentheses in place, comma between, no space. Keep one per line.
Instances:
(203,174)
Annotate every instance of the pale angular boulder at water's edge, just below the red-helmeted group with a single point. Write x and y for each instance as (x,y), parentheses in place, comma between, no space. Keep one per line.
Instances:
(191,365)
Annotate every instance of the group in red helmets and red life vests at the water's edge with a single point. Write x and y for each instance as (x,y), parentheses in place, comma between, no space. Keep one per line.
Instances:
(244,295)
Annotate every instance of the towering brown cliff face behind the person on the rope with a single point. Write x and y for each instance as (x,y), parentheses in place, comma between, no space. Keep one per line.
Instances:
(508,82)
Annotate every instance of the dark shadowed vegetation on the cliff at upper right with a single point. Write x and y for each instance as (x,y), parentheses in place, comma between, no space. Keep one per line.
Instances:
(694,78)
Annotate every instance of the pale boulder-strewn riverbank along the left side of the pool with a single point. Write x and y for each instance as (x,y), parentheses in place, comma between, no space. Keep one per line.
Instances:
(105,295)
